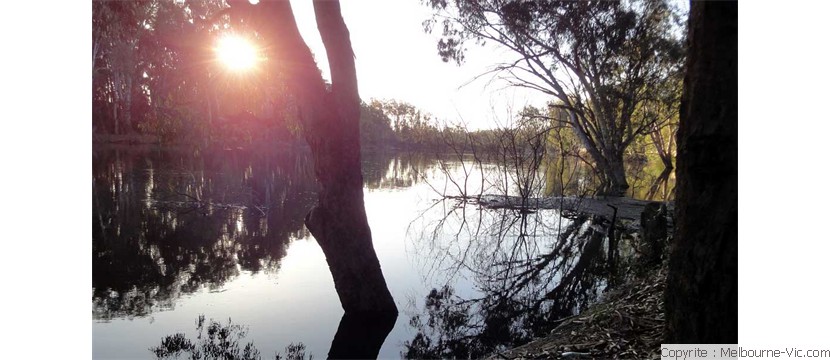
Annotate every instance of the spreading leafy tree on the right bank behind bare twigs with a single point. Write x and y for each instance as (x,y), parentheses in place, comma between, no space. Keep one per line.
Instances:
(604,62)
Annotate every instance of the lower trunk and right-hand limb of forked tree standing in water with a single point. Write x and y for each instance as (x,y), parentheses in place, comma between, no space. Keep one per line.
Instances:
(338,222)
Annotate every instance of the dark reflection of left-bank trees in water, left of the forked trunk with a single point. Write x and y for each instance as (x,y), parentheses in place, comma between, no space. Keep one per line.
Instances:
(167,224)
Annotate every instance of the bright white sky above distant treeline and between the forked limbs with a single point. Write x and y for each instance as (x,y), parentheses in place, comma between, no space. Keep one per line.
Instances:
(396,60)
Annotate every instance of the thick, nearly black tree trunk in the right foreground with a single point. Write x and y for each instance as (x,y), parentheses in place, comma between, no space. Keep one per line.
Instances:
(702,289)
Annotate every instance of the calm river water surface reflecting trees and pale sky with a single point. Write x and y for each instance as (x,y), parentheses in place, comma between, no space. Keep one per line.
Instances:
(178,234)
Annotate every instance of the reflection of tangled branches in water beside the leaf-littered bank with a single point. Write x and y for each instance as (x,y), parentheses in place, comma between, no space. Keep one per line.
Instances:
(530,269)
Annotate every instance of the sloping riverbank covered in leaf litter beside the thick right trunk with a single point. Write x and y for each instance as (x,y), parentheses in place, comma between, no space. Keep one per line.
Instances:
(626,324)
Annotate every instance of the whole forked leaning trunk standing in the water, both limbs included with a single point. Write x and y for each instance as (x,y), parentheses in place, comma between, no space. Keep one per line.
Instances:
(330,121)
